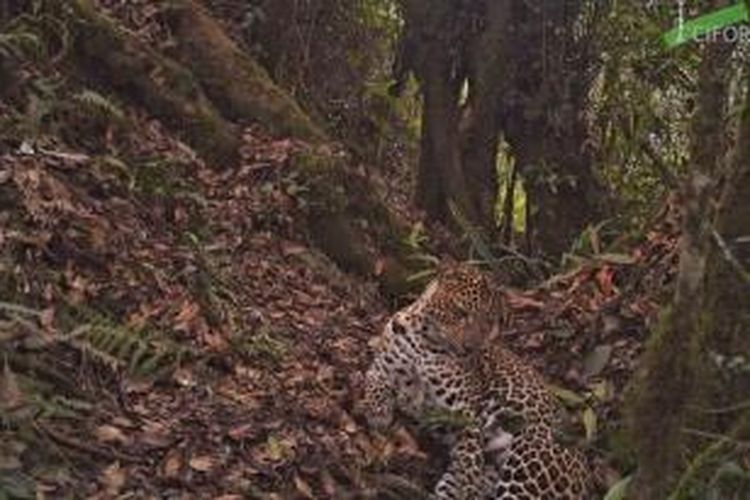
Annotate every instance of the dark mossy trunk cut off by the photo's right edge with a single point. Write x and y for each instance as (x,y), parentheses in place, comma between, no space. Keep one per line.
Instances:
(723,393)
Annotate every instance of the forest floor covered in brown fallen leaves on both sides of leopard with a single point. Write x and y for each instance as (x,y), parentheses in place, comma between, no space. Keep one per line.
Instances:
(187,342)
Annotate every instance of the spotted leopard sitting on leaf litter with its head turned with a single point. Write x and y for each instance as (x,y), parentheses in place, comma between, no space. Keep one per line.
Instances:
(417,368)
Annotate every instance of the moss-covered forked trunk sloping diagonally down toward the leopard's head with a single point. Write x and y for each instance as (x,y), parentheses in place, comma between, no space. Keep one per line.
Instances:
(209,84)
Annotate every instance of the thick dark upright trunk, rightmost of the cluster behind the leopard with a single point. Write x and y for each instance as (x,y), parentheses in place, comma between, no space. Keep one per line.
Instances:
(544,120)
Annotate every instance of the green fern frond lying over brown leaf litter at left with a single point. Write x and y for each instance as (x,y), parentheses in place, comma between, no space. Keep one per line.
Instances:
(136,352)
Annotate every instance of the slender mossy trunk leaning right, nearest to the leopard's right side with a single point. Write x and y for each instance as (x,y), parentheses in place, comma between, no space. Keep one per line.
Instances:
(666,383)
